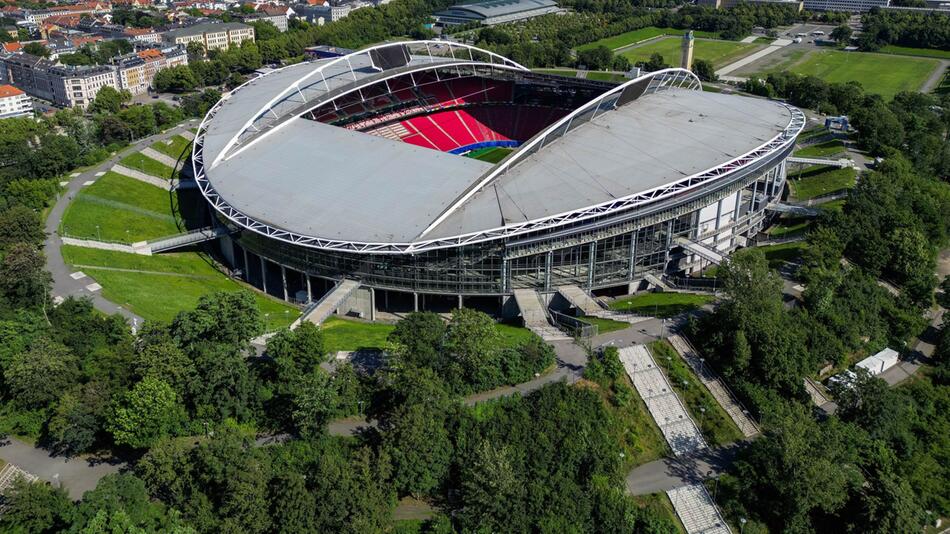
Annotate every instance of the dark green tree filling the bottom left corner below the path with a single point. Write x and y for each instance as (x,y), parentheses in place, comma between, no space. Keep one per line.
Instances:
(35,507)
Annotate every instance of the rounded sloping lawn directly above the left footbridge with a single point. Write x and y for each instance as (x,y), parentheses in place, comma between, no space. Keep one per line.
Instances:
(119,208)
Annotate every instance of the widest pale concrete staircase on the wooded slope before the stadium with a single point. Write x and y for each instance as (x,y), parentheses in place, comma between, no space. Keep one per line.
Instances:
(664,404)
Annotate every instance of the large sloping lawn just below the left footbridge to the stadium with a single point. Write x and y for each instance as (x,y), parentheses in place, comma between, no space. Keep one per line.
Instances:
(158,287)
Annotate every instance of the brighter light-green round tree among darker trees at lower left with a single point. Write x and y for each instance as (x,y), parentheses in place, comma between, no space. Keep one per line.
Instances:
(150,411)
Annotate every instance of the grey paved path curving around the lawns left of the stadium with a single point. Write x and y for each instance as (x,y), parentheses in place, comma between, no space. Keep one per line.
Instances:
(64,285)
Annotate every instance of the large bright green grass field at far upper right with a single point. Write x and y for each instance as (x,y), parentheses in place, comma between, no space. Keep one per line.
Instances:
(883,74)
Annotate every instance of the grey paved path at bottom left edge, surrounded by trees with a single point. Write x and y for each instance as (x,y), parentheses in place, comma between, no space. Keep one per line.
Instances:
(77,475)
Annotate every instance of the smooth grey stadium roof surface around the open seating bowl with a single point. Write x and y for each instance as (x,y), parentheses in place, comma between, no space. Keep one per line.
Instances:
(326,182)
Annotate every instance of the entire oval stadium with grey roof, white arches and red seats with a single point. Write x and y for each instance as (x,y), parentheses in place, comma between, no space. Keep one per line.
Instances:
(430,174)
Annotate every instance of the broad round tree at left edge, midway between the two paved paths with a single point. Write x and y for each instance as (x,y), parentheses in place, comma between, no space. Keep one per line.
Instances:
(38,377)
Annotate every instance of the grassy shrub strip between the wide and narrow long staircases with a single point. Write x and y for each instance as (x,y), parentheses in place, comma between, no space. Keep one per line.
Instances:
(714,423)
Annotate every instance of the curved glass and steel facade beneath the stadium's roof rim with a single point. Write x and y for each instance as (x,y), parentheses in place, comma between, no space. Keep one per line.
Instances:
(612,250)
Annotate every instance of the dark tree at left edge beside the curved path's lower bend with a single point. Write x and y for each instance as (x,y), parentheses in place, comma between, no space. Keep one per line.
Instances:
(23,276)
